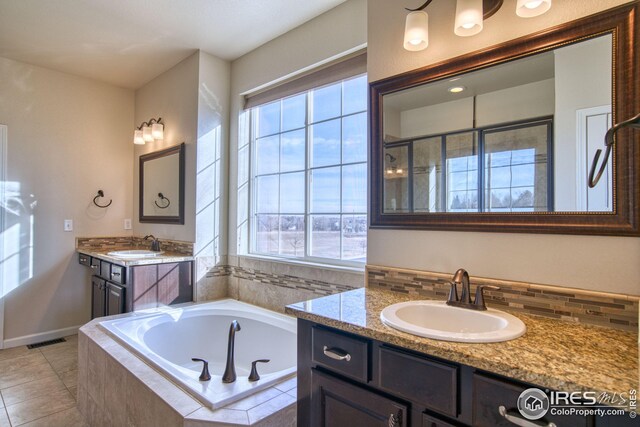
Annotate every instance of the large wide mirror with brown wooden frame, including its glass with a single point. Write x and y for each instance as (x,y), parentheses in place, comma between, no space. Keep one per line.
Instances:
(502,139)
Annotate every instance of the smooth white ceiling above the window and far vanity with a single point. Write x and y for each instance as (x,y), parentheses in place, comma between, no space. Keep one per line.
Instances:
(129,42)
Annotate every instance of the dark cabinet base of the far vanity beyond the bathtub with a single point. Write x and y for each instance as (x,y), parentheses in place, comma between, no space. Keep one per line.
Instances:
(119,289)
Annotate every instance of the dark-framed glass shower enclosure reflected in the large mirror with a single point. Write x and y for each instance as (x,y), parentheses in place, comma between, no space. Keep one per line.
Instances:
(493,169)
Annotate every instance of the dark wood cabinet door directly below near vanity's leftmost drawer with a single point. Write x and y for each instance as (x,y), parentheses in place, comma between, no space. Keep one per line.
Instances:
(336,403)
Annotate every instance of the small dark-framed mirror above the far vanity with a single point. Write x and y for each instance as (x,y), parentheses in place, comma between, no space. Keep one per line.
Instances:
(162,186)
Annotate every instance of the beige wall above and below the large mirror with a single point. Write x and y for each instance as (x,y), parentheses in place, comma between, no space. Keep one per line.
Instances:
(588,262)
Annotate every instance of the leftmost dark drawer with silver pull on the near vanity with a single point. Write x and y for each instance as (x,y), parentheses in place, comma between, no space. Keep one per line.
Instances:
(344,354)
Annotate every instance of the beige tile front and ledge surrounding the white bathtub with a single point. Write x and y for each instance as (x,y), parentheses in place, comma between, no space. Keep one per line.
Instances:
(117,388)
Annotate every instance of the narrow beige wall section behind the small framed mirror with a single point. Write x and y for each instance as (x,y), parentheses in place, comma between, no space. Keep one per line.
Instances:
(173,96)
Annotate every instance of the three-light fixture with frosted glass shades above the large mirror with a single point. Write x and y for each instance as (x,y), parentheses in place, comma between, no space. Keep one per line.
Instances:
(469,19)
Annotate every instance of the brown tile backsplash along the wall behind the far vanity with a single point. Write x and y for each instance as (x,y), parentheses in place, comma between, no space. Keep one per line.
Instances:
(107,244)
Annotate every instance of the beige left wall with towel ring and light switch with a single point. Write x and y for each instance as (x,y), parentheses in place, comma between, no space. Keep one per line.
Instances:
(68,137)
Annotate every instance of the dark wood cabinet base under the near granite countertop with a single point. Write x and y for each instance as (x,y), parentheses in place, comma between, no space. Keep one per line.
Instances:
(349,380)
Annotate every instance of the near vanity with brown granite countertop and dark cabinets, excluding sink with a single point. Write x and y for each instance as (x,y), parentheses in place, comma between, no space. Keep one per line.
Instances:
(353,370)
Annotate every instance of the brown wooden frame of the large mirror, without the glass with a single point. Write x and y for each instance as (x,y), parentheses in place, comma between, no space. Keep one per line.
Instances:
(623,23)
